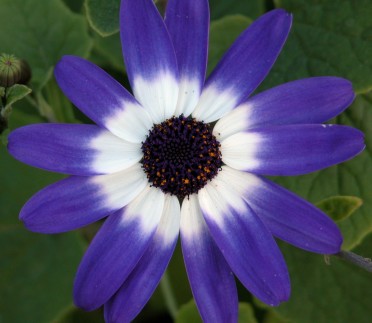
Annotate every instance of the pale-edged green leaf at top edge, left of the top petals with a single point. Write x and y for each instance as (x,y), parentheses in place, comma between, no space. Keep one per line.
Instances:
(103,16)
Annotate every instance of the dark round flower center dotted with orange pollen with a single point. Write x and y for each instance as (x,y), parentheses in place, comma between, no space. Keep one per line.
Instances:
(180,155)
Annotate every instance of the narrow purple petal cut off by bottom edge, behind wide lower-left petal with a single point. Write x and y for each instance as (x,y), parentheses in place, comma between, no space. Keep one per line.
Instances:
(132,296)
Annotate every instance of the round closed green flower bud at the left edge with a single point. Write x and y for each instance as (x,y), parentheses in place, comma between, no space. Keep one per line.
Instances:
(13,70)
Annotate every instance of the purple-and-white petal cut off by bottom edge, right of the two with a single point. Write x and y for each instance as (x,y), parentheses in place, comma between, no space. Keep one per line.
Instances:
(211,279)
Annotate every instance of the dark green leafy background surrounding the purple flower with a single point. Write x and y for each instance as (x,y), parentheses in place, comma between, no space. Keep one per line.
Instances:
(328,38)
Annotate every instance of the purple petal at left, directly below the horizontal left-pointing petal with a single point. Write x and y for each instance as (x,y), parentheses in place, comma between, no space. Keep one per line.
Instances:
(77,201)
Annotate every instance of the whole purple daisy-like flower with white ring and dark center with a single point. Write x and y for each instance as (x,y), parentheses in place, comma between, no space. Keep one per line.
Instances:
(150,151)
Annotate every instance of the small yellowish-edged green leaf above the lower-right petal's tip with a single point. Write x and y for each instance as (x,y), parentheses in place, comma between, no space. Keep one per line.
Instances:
(340,207)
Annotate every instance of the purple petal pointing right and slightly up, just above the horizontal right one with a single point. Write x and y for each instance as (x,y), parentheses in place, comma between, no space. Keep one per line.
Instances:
(312,100)
